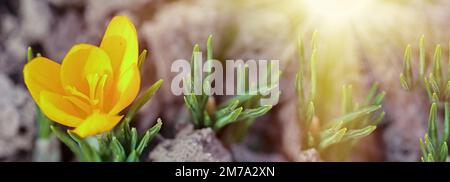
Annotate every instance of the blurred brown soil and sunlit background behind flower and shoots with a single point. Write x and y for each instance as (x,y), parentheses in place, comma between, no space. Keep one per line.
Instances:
(359,42)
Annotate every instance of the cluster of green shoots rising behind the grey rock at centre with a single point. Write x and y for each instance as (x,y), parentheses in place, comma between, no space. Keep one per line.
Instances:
(241,110)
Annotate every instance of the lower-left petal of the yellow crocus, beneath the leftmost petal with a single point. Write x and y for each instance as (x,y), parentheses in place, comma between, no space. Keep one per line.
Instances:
(59,109)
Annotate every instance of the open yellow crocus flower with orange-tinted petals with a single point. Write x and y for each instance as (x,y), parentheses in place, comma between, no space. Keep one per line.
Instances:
(92,84)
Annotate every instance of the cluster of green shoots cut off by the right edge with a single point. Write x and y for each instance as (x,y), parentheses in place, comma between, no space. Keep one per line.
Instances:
(437,86)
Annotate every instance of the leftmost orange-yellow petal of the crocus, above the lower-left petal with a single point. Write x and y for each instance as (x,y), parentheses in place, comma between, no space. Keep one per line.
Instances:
(42,74)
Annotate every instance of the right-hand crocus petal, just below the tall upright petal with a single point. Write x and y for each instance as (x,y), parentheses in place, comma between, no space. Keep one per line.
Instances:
(125,90)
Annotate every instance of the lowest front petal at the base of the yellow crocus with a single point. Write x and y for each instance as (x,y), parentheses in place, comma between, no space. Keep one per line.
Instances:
(97,123)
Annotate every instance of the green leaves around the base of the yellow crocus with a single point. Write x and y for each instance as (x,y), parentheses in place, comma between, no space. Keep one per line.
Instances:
(119,145)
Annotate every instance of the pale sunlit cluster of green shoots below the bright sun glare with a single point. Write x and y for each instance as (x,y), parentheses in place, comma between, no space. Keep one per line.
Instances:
(333,139)
